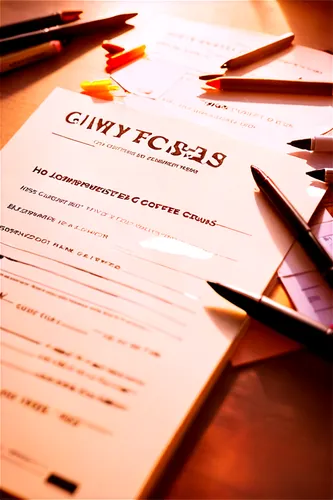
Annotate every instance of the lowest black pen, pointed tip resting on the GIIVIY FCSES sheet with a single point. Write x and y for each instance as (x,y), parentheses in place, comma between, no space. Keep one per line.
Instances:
(290,323)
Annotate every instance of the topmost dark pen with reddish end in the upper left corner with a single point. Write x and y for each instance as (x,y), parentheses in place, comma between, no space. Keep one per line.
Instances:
(66,16)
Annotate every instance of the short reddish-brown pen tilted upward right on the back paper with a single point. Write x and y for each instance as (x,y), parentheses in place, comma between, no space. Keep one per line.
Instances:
(252,56)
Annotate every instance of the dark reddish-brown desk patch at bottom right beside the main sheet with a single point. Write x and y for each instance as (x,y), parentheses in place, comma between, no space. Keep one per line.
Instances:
(264,433)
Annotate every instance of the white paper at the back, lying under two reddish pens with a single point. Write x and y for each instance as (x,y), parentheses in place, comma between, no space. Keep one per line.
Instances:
(180,51)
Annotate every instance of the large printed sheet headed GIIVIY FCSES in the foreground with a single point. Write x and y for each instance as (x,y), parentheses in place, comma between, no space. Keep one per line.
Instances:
(111,222)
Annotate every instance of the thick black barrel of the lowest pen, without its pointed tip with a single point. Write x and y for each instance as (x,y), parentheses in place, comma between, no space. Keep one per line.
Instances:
(292,324)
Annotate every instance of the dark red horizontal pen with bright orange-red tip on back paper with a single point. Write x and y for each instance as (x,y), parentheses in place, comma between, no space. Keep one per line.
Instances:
(241,84)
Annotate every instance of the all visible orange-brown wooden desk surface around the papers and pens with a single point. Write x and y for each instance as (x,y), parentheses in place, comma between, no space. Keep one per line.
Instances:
(266,431)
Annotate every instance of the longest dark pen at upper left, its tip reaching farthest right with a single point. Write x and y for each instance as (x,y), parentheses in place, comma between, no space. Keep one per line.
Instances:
(62,32)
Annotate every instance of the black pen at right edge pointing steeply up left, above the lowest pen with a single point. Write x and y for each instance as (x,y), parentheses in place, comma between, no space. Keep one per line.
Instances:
(296,223)
